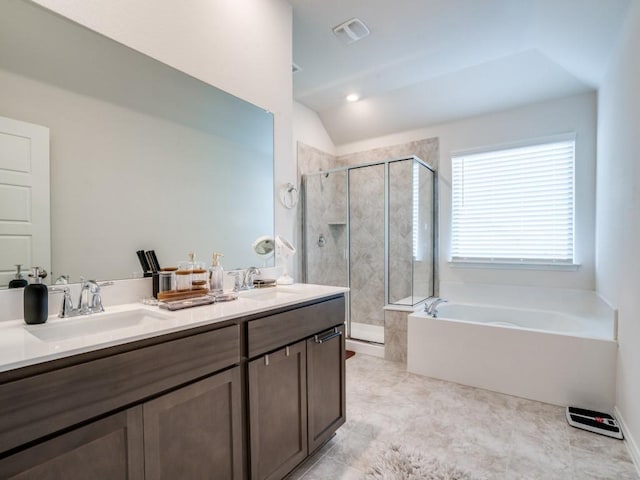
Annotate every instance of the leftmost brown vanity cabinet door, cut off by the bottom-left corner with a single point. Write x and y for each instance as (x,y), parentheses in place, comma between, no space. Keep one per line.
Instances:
(108,449)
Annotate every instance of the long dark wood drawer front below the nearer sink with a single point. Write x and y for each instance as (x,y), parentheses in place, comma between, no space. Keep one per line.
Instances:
(42,404)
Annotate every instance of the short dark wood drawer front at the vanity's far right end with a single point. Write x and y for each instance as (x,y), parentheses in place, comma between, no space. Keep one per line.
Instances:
(269,333)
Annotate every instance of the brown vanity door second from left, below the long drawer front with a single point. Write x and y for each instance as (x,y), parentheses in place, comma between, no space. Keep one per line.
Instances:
(195,432)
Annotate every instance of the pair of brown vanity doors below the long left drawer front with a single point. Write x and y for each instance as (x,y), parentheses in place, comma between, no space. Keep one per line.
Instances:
(194,432)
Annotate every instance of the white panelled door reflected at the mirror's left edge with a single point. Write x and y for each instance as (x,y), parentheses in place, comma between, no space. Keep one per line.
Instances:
(25,233)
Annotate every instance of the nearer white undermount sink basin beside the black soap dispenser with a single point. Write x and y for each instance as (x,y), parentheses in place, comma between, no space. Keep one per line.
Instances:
(111,324)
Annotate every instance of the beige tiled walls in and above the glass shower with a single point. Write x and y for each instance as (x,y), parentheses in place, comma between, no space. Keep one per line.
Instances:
(326,204)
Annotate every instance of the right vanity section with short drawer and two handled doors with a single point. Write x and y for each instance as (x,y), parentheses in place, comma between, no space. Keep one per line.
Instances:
(296,393)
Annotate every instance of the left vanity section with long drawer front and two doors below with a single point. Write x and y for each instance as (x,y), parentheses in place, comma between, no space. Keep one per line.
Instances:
(181,425)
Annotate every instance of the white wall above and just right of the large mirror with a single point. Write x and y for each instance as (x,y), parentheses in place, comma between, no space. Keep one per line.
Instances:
(240,46)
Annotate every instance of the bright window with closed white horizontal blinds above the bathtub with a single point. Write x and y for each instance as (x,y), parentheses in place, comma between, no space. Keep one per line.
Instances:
(514,205)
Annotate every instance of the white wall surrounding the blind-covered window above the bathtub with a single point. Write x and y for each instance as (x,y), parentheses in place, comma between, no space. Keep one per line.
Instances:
(571,114)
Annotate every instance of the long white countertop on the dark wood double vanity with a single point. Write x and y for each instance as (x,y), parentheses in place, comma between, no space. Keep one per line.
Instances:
(22,345)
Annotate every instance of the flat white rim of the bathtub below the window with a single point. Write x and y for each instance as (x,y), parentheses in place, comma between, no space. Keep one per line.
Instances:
(610,336)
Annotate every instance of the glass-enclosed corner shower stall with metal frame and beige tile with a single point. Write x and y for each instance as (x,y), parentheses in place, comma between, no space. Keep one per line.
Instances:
(371,228)
